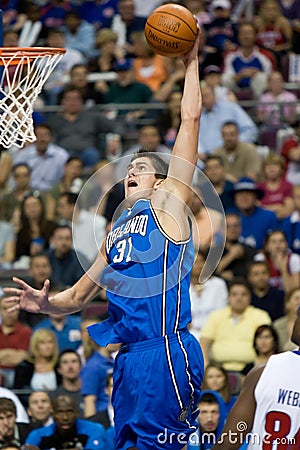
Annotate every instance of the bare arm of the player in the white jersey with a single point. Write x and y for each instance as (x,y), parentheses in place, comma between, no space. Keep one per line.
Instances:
(241,415)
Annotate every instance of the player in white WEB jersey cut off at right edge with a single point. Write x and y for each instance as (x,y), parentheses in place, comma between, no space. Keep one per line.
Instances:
(268,407)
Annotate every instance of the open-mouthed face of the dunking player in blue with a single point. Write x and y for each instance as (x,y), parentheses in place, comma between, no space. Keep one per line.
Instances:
(140,177)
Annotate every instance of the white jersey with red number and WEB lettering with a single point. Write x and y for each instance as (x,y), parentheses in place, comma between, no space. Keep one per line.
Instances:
(277,418)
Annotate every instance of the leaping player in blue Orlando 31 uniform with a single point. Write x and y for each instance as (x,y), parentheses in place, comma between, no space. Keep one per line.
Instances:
(145,264)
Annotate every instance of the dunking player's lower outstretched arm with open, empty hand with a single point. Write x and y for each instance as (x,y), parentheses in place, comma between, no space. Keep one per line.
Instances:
(66,302)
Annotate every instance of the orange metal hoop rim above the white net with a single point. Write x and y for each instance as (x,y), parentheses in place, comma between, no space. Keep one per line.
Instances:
(18,53)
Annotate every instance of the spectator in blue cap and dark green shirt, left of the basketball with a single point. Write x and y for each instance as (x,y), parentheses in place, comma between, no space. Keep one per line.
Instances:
(126,89)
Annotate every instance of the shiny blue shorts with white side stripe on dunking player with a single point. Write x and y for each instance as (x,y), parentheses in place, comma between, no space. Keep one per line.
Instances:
(156,392)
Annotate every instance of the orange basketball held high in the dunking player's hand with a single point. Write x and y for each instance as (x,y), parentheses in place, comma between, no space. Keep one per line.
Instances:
(171,30)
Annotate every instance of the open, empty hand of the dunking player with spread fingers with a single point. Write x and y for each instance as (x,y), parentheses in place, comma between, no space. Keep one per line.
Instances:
(32,300)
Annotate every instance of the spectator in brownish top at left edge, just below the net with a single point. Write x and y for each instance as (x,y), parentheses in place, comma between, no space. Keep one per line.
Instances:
(11,201)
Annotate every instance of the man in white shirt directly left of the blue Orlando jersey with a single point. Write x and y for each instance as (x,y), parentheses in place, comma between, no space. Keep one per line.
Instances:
(88,228)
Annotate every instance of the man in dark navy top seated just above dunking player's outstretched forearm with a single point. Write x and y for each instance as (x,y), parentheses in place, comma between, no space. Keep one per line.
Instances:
(66,268)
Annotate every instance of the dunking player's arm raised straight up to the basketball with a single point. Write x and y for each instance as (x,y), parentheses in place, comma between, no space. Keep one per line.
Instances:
(185,151)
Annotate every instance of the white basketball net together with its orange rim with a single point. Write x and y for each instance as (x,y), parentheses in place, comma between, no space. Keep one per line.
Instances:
(23,71)
